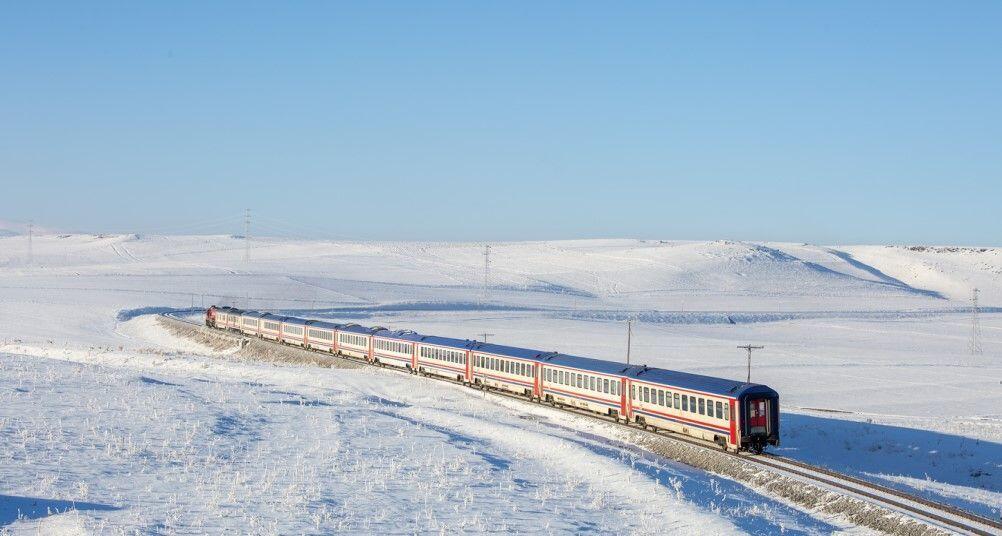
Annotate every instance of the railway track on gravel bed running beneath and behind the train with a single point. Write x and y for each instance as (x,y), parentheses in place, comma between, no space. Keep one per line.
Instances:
(936,514)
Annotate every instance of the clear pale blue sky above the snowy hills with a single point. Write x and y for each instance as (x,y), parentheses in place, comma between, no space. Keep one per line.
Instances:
(848,123)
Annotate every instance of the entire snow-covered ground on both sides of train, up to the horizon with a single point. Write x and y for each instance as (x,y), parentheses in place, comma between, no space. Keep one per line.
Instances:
(102,410)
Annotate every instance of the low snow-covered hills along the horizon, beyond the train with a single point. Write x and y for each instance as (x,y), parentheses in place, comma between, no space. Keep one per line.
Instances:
(625,274)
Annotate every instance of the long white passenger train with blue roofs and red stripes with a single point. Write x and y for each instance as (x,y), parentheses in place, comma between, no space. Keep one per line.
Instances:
(737,416)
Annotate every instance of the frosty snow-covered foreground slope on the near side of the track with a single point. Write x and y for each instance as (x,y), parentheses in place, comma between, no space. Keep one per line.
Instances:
(214,444)
